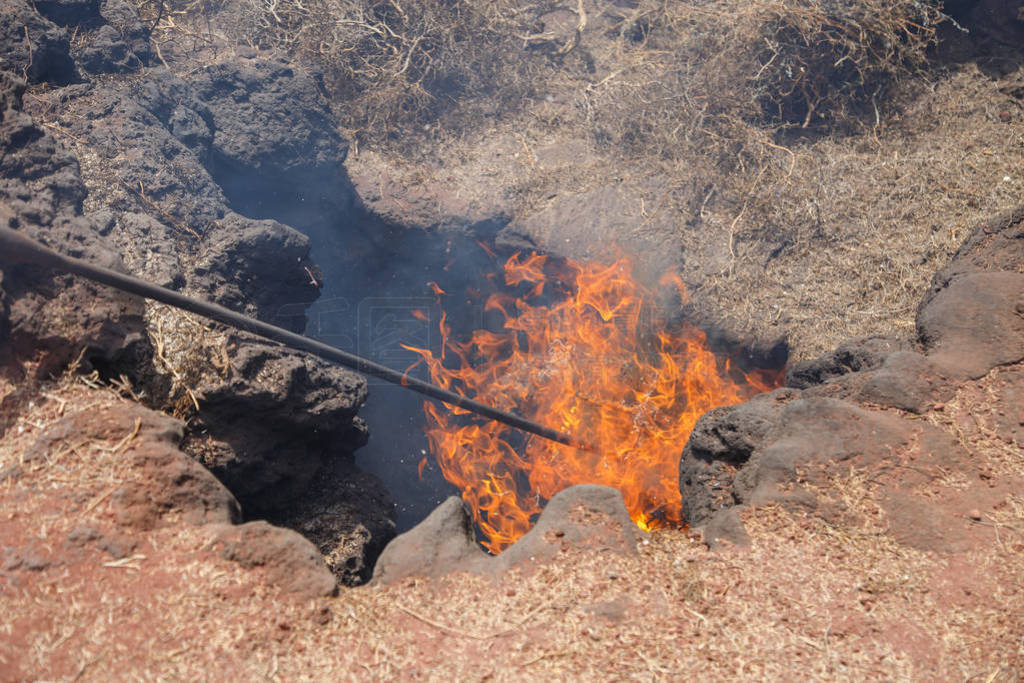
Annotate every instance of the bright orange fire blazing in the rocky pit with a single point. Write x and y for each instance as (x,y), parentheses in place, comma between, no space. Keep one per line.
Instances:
(577,354)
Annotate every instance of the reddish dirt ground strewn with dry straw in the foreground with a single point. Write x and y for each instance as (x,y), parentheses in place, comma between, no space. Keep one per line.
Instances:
(89,599)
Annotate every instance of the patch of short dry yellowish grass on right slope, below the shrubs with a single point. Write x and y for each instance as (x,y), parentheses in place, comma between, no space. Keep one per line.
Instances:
(863,224)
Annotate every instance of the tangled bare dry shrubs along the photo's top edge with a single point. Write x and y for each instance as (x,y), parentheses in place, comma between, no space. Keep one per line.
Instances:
(654,76)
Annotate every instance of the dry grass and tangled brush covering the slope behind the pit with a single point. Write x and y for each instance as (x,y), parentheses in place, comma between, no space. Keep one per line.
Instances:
(814,156)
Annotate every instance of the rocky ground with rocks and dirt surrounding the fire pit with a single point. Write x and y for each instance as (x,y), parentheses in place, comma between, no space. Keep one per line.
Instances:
(867,521)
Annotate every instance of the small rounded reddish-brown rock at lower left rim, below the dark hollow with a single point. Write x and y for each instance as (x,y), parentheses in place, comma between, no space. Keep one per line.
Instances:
(290,562)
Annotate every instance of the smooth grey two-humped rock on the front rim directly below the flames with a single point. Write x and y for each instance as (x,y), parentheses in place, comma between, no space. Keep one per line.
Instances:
(582,518)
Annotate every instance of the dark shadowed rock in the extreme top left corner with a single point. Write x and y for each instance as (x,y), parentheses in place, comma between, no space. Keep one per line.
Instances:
(32,47)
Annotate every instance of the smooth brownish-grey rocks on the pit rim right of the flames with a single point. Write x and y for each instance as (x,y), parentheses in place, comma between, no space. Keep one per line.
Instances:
(779,447)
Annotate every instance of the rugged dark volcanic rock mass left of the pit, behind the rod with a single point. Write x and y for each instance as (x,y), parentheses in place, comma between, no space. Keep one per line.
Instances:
(269,419)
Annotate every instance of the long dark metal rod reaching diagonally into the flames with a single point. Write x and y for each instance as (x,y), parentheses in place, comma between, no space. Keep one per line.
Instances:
(18,248)
